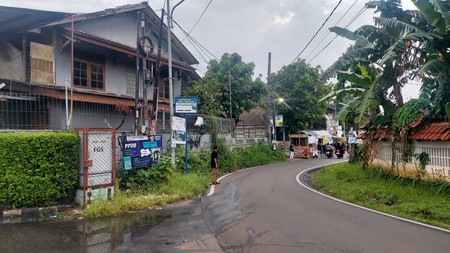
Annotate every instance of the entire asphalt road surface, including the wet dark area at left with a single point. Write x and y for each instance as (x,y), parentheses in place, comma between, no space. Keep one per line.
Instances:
(262,209)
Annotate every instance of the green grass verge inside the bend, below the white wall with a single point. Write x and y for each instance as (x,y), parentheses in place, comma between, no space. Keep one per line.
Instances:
(423,201)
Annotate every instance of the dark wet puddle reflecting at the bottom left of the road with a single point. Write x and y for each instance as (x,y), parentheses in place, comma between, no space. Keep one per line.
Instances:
(96,235)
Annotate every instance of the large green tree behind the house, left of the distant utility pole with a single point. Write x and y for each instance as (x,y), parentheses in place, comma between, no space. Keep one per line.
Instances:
(214,89)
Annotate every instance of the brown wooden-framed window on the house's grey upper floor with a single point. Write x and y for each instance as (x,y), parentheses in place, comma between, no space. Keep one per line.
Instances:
(88,75)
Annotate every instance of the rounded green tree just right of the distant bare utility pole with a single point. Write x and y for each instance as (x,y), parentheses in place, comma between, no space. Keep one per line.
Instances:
(297,85)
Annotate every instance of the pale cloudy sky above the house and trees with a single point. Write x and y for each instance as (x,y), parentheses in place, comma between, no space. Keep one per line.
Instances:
(251,28)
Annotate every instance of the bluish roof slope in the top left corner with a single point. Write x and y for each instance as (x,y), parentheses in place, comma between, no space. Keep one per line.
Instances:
(22,20)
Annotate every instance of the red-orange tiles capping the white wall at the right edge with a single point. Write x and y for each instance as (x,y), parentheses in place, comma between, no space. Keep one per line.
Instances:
(438,131)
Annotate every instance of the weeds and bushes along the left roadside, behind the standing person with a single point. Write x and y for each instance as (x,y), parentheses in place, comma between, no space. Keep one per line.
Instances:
(161,185)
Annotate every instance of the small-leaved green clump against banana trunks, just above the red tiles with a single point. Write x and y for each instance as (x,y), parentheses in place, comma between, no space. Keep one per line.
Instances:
(408,113)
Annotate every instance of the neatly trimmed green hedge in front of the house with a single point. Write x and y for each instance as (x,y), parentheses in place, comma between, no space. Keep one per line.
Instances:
(37,169)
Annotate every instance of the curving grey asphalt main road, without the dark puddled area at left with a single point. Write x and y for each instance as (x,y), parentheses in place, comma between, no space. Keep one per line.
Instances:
(265,209)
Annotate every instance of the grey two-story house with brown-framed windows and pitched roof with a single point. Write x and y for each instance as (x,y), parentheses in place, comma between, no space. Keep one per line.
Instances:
(62,70)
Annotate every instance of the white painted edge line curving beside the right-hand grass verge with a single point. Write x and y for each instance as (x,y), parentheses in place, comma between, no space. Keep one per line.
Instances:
(361,207)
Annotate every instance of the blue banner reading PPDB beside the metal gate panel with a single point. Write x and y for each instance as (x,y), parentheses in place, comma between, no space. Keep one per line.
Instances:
(141,151)
